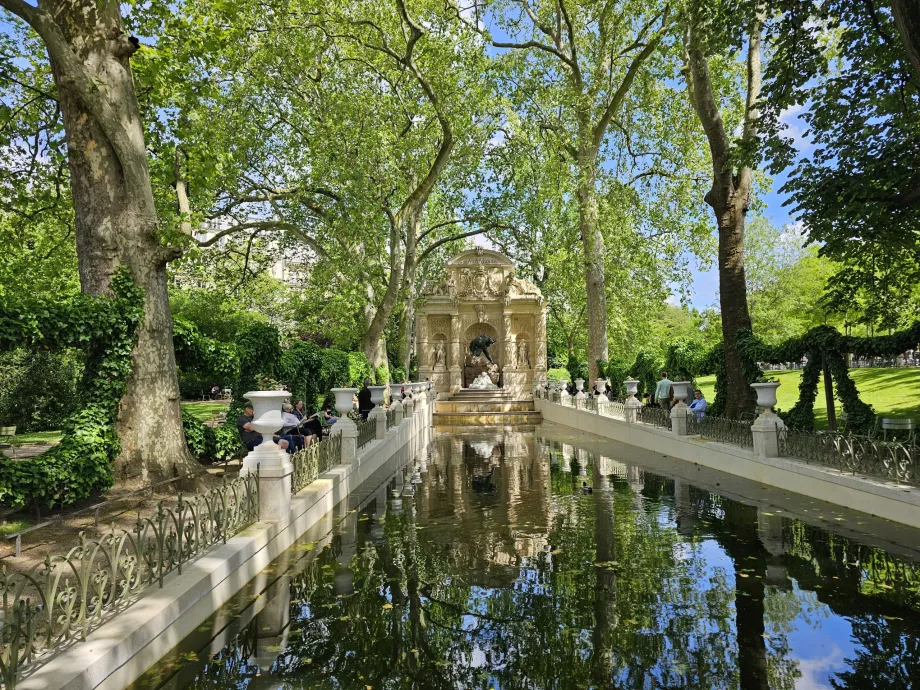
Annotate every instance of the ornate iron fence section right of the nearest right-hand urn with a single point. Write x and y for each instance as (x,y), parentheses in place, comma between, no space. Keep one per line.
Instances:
(890,460)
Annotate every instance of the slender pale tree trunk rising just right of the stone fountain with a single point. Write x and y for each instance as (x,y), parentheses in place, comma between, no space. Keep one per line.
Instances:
(593,246)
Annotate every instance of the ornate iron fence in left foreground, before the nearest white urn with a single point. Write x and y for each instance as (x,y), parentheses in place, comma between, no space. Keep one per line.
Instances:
(64,598)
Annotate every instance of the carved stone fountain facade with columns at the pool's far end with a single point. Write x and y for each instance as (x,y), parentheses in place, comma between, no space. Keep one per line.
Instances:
(482,296)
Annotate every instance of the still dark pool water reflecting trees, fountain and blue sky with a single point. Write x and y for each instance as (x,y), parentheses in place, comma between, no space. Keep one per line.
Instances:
(535,559)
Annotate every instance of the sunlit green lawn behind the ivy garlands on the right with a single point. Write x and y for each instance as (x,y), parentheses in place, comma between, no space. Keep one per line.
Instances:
(891,392)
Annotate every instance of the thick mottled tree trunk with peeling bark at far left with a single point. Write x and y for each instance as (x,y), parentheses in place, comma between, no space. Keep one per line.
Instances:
(116,221)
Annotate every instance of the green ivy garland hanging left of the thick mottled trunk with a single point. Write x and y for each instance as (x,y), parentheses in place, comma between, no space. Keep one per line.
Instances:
(105,328)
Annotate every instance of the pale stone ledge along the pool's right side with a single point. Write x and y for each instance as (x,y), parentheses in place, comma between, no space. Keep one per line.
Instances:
(867,494)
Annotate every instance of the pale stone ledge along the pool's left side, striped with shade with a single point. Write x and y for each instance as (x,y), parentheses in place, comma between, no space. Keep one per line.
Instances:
(119,651)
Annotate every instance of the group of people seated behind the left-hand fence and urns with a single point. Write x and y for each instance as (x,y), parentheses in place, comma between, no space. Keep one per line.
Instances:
(299,429)
